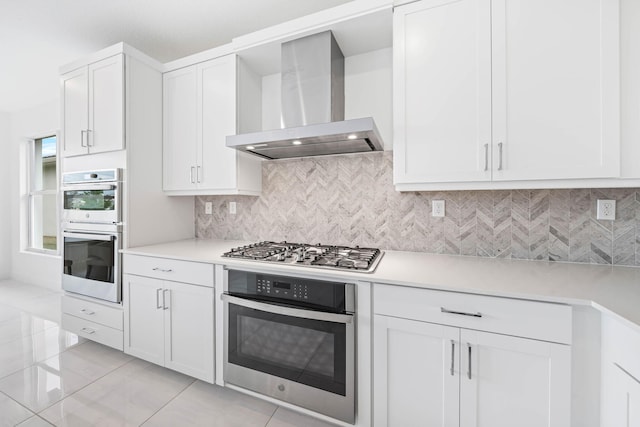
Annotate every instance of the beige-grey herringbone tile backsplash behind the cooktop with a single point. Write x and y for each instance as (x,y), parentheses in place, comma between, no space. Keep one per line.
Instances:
(351,200)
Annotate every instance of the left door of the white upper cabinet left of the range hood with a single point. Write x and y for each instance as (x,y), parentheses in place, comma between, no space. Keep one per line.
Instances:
(180,134)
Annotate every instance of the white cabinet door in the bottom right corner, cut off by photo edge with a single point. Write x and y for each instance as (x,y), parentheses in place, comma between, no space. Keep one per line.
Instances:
(621,398)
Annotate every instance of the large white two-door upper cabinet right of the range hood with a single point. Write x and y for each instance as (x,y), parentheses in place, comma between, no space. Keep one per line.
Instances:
(505,91)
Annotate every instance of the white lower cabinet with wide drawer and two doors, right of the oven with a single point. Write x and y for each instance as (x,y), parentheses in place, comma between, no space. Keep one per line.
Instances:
(430,374)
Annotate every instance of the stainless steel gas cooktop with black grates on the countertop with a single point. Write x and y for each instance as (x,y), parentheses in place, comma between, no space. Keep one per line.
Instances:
(359,259)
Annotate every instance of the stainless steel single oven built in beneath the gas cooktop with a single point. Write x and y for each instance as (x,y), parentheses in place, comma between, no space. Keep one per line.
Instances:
(293,339)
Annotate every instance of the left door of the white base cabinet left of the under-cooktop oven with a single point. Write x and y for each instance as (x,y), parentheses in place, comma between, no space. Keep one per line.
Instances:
(143,318)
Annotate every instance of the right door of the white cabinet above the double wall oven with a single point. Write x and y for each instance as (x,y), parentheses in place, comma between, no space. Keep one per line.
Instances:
(106,105)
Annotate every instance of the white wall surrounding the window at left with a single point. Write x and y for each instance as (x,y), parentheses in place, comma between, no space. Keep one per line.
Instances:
(42,270)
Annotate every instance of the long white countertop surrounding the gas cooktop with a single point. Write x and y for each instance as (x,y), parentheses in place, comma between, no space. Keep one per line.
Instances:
(611,289)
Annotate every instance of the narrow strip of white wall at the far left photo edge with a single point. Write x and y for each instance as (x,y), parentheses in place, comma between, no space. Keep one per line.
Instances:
(5,206)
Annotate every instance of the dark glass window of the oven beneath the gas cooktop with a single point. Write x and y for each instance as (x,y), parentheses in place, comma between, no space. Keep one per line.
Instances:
(310,352)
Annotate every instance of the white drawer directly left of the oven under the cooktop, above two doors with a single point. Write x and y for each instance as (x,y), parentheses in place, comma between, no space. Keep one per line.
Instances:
(197,273)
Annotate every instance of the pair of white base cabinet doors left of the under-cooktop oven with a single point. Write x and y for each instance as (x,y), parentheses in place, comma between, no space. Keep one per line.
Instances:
(170,324)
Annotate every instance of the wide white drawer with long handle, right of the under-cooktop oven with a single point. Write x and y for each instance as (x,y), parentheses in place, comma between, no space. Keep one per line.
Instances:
(530,319)
